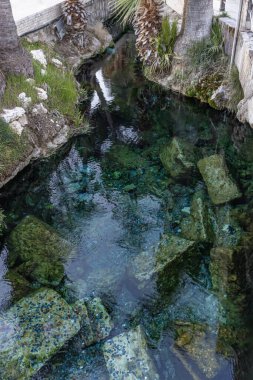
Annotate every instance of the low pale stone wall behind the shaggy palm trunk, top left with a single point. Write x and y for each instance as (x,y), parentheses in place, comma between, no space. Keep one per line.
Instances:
(97,10)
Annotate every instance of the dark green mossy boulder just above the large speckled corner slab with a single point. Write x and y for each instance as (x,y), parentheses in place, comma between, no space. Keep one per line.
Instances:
(40,249)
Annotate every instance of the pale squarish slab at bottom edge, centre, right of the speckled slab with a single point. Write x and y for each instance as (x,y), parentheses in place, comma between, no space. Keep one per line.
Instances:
(127,357)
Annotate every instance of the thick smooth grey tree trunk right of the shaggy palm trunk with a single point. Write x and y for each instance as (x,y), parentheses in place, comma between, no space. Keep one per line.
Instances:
(197,22)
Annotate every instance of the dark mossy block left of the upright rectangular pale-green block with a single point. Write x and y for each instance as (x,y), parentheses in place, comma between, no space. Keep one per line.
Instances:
(179,158)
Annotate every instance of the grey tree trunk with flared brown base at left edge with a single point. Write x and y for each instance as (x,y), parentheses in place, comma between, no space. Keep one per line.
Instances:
(13,58)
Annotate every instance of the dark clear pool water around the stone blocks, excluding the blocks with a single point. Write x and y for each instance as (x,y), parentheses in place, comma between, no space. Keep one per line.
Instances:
(110,196)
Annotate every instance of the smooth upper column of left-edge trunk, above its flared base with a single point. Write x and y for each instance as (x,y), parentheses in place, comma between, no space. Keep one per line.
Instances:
(8,30)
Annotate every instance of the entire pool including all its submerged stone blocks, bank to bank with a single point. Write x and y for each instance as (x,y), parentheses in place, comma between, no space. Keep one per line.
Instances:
(135,241)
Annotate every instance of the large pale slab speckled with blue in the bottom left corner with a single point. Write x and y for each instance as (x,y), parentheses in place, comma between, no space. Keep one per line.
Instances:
(32,331)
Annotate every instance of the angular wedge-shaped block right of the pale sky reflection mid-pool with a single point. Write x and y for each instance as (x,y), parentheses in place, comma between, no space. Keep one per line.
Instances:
(171,251)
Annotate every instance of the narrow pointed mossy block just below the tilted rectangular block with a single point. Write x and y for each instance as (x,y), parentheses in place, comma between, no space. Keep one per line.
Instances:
(199,225)
